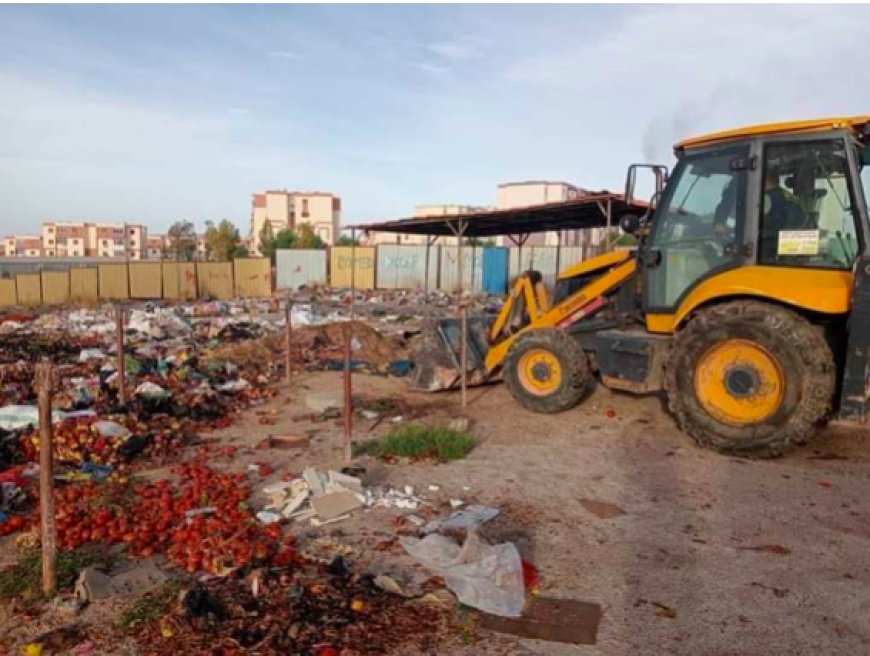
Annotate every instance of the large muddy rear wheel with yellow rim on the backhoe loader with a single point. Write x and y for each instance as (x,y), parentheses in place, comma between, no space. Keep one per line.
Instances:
(750,378)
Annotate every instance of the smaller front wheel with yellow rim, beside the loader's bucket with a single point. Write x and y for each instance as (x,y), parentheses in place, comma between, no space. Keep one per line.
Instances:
(547,371)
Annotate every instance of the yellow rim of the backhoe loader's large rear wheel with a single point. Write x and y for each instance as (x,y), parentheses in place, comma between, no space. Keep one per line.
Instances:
(739,382)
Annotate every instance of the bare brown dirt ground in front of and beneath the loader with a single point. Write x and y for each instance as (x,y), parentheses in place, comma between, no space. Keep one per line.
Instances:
(680,572)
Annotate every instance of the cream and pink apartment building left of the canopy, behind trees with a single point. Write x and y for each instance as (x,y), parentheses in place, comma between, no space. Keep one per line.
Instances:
(288,209)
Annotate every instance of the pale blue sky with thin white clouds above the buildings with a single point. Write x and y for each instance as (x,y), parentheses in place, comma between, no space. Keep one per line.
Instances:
(160,113)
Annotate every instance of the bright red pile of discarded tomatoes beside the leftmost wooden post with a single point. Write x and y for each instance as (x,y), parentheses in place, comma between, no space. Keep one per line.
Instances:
(152,518)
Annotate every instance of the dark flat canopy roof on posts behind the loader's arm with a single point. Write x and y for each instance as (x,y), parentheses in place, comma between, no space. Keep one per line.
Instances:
(590,211)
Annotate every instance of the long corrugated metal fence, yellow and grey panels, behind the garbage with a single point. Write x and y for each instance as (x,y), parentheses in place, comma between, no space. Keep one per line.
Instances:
(389,266)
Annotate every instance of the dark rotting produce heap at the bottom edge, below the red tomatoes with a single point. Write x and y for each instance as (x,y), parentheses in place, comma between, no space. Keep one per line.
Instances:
(302,608)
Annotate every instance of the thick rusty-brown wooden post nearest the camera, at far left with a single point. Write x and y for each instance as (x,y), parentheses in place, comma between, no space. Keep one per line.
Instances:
(44,375)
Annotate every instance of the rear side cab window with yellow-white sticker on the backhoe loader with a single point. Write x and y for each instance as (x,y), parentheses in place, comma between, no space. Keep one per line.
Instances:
(807,209)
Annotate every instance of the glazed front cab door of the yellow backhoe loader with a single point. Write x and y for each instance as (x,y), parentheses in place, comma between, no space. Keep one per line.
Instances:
(699,227)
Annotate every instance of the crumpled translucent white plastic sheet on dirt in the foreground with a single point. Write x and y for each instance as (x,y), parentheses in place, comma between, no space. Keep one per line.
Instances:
(483,576)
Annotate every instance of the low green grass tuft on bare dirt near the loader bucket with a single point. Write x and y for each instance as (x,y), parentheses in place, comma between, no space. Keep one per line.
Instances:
(419,441)
